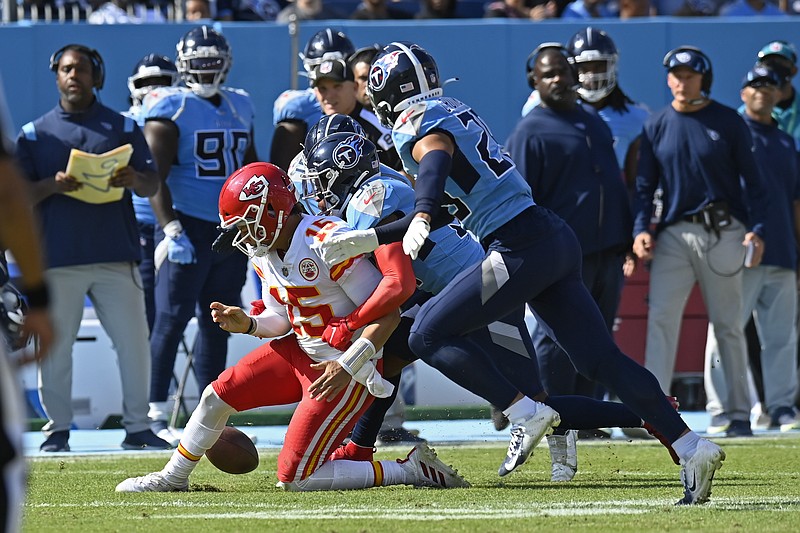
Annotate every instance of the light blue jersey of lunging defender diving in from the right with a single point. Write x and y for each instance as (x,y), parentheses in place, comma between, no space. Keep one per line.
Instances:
(484,189)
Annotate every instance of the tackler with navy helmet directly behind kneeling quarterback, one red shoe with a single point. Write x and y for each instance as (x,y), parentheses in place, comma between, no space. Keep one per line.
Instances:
(343,178)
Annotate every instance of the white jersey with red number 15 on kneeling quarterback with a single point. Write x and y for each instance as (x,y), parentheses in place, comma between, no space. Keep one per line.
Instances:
(301,285)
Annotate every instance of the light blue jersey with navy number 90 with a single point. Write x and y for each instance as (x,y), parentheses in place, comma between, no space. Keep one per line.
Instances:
(212,144)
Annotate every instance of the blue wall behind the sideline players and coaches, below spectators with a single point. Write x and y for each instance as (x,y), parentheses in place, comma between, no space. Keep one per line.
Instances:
(488,56)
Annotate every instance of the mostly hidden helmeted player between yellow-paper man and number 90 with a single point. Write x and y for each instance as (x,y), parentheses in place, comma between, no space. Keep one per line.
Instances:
(151,72)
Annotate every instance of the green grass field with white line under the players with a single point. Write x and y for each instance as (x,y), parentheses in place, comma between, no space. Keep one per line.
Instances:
(620,486)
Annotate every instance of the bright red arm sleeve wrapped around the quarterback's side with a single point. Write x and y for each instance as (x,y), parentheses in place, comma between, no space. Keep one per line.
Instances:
(396,286)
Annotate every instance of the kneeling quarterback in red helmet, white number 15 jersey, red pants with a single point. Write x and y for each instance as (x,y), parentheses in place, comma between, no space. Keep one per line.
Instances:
(304,296)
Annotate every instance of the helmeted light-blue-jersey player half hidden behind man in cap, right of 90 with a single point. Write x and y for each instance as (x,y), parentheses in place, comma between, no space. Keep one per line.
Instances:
(296,111)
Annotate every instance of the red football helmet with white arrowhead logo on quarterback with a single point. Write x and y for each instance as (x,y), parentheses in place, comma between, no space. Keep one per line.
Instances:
(256,199)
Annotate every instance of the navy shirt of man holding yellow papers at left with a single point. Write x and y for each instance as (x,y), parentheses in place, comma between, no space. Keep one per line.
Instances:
(76,232)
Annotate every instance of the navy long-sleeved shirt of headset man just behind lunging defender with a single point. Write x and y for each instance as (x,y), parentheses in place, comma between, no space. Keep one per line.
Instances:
(568,159)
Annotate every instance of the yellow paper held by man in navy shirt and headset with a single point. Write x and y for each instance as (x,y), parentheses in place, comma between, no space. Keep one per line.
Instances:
(94,171)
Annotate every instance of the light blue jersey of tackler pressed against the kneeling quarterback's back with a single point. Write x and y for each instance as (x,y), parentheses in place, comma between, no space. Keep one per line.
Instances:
(449,249)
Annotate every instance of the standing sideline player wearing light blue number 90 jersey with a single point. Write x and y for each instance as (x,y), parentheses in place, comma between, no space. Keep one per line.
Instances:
(199,135)
